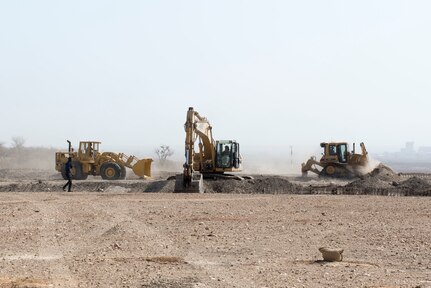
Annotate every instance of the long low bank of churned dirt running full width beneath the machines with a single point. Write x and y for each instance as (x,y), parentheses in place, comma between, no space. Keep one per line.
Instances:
(381,181)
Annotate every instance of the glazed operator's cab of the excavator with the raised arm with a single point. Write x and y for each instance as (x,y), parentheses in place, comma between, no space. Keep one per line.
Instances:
(227,154)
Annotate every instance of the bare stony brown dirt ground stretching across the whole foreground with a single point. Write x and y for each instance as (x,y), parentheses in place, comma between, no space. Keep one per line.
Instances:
(263,232)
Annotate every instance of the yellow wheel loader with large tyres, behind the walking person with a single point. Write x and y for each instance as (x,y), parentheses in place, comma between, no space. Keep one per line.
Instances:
(90,161)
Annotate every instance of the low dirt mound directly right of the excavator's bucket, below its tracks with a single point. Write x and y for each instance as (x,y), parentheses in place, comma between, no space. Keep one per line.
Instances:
(260,184)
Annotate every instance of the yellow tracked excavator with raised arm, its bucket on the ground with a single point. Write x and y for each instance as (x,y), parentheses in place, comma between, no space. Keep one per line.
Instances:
(212,158)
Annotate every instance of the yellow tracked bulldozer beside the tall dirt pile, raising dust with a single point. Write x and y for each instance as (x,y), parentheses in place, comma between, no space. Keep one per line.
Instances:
(338,162)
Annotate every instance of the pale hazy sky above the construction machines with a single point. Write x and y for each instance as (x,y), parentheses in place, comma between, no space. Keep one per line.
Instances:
(263,72)
